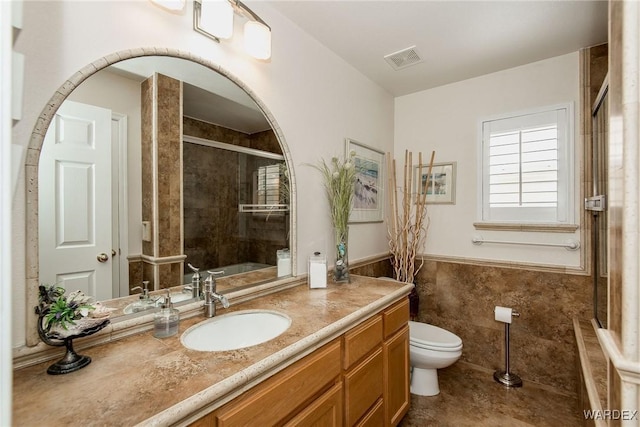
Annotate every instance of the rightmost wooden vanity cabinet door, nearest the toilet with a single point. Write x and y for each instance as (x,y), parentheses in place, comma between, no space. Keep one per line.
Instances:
(396,376)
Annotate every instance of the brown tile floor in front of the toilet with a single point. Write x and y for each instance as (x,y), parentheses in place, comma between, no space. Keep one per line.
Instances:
(469,396)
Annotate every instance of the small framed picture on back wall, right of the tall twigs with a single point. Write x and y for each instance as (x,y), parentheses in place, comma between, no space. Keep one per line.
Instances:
(441,185)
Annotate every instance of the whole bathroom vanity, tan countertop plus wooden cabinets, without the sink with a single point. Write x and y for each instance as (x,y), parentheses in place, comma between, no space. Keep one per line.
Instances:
(343,361)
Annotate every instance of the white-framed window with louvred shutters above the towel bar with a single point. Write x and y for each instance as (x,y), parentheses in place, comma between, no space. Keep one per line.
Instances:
(527,167)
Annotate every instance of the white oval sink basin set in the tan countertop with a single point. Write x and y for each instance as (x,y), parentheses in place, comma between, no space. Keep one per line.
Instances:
(235,330)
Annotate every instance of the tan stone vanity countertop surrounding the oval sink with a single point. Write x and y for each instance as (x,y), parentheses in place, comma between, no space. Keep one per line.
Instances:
(145,380)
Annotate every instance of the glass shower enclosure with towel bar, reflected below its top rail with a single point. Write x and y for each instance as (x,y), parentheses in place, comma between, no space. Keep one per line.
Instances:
(242,228)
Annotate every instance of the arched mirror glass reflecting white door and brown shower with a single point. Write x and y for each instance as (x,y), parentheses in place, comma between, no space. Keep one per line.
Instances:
(155,162)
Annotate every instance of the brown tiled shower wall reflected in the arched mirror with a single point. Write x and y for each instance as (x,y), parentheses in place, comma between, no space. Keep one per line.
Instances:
(212,226)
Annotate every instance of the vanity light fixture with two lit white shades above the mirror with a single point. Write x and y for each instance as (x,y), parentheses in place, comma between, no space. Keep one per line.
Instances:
(214,19)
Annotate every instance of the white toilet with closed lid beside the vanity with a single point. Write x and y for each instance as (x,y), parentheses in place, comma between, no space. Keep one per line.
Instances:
(430,348)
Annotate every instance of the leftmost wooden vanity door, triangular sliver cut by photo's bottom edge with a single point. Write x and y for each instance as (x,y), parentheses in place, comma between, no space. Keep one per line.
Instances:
(326,411)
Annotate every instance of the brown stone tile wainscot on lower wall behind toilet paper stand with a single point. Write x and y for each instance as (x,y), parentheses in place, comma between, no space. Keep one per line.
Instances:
(461,298)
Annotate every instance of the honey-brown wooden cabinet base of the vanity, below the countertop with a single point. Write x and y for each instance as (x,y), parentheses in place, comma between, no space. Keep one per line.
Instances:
(361,377)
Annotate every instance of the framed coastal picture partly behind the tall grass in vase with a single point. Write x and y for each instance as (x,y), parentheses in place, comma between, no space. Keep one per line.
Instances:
(368,197)
